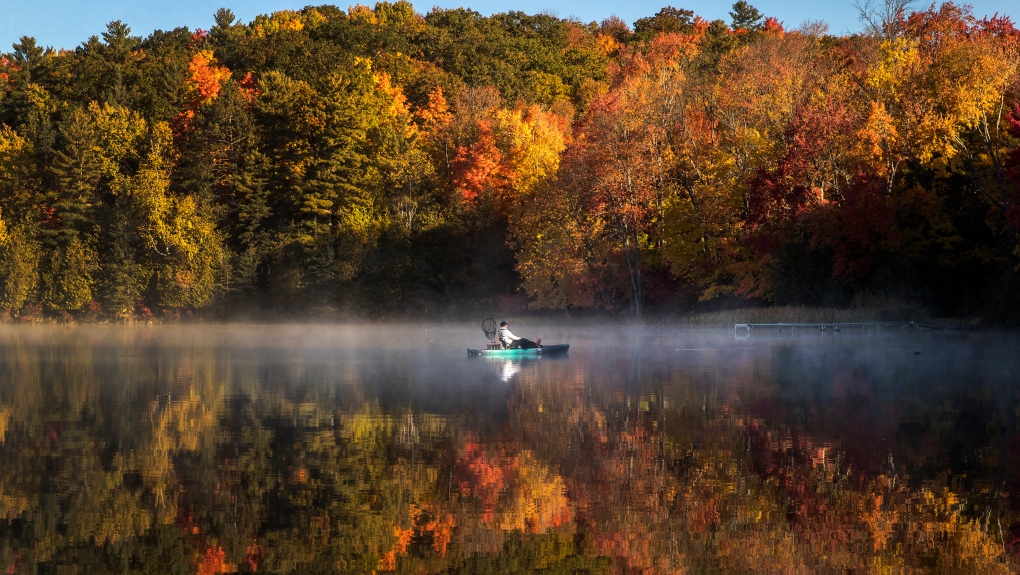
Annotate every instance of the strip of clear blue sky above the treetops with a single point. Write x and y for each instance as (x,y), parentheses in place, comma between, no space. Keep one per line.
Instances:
(66,24)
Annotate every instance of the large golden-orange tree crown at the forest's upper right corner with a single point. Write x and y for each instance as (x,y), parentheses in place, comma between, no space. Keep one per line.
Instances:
(944,78)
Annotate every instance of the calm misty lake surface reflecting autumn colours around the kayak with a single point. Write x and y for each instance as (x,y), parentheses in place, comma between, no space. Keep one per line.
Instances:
(363,450)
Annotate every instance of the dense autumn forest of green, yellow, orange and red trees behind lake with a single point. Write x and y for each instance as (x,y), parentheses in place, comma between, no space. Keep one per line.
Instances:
(379,163)
